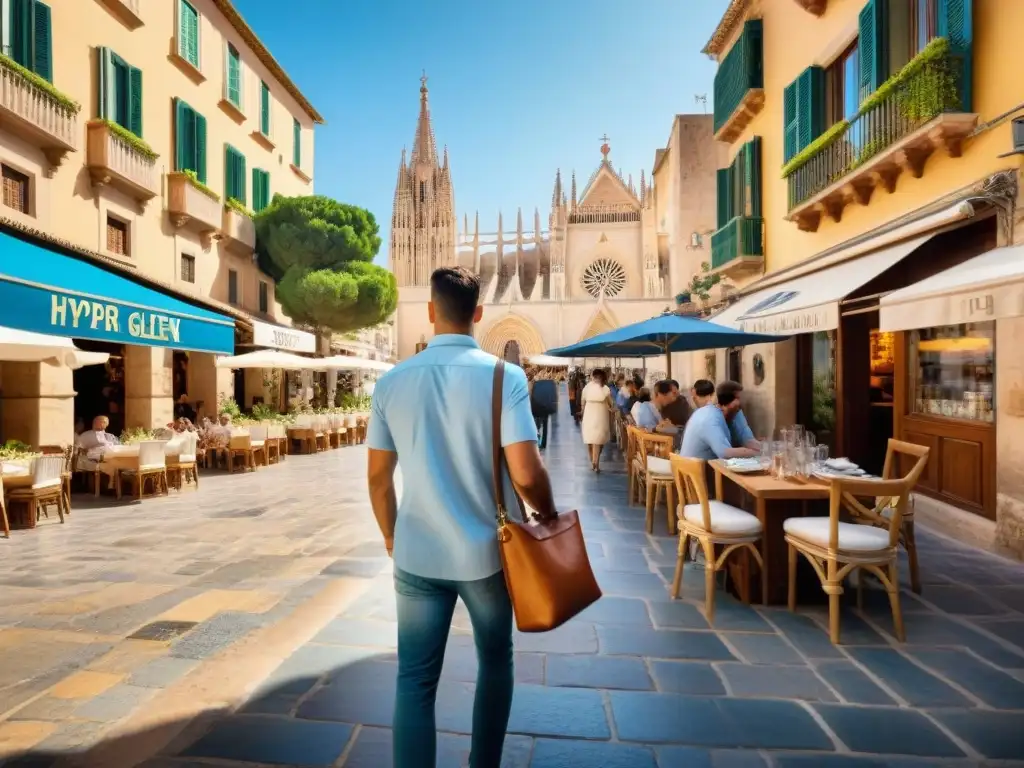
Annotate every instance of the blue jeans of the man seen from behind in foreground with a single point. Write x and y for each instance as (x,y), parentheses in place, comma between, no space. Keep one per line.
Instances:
(425,609)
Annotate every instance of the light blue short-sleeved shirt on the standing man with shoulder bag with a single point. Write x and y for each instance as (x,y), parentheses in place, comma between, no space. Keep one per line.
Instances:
(435,411)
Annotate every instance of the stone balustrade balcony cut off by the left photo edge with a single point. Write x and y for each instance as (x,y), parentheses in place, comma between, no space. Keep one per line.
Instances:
(37,112)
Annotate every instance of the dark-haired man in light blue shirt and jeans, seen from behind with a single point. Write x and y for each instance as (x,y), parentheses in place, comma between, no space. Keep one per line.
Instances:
(443,534)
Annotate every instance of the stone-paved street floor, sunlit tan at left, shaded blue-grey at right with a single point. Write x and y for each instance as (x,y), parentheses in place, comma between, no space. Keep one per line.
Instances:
(252,623)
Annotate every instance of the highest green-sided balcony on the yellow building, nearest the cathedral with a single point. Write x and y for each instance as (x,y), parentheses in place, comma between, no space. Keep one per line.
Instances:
(740,92)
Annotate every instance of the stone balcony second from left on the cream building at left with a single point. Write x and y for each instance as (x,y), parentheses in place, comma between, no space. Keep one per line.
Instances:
(125,164)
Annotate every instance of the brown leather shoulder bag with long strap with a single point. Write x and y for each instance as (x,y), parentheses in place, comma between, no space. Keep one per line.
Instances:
(547,570)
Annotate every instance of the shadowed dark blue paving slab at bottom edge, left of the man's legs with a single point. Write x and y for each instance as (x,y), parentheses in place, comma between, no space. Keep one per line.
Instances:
(276,741)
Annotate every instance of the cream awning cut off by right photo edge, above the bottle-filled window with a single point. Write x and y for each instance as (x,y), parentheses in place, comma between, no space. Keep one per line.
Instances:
(986,288)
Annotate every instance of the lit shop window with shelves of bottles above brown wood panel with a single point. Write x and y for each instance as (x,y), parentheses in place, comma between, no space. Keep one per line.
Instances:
(953,372)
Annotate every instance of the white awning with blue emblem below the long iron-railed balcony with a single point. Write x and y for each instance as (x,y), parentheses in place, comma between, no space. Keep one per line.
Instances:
(810,304)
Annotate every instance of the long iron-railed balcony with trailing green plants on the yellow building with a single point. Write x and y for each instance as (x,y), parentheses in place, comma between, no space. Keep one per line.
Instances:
(898,130)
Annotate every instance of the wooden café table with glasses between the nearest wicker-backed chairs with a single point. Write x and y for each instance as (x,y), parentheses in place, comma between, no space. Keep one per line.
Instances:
(775,501)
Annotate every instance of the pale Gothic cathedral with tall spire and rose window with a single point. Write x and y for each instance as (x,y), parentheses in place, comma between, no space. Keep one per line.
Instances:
(598,263)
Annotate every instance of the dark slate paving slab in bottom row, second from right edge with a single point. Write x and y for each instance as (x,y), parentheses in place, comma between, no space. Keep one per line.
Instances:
(887,731)
